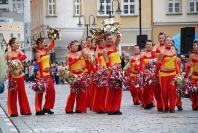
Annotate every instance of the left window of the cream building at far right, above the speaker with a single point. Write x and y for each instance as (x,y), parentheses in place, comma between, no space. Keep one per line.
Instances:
(174,6)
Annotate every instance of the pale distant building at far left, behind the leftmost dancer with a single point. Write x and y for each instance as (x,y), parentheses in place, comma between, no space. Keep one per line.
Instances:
(11,20)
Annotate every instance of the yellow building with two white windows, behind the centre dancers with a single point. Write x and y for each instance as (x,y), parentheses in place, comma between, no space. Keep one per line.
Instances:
(128,19)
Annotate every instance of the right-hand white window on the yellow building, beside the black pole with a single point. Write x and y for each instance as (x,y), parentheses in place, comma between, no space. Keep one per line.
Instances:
(128,7)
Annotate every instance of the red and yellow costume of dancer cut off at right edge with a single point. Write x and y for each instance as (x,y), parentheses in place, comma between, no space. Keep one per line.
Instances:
(194,96)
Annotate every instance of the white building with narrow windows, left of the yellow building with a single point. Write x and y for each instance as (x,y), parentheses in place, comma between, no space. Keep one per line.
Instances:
(58,14)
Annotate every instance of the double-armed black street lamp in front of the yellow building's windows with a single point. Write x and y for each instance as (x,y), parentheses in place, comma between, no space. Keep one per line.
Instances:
(110,11)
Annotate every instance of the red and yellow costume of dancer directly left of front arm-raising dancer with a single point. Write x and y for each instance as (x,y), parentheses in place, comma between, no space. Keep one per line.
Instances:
(101,92)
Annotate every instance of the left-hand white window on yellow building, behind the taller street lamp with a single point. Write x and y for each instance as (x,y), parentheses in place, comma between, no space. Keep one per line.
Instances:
(105,5)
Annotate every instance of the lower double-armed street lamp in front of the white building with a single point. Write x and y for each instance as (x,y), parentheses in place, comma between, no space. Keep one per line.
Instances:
(87,24)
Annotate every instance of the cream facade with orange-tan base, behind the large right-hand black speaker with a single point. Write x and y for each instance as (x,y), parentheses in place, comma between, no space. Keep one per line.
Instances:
(170,16)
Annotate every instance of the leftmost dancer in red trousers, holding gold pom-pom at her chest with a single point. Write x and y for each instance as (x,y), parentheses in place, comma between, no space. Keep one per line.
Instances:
(16,81)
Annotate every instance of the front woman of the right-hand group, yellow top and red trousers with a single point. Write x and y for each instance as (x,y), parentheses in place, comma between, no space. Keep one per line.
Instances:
(168,70)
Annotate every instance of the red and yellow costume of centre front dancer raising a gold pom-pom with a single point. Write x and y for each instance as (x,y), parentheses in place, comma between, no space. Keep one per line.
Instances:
(114,96)
